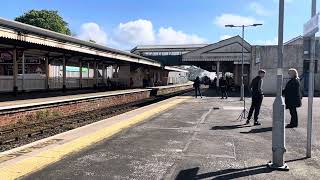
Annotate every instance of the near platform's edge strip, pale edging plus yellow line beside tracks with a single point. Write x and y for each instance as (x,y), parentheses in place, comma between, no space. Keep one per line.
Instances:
(32,157)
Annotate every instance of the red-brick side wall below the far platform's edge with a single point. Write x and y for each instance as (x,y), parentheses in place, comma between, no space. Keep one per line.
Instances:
(62,110)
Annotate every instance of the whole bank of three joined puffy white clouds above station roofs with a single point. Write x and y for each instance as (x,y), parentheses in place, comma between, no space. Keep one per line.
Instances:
(138,32)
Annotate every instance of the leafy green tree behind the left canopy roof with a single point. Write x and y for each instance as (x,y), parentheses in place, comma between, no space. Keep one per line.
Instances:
(46,19)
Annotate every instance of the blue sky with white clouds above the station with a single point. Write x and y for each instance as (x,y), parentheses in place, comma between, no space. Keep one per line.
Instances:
(123,24)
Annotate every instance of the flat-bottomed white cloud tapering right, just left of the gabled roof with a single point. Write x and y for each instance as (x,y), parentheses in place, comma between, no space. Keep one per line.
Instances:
(171,36)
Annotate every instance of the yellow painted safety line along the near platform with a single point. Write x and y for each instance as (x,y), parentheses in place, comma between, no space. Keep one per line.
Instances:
(45,158)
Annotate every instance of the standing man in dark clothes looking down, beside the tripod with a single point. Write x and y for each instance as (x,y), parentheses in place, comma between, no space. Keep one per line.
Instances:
(257,97)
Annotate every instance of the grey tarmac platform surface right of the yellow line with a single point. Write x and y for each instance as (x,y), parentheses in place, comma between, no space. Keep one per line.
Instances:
(197,139)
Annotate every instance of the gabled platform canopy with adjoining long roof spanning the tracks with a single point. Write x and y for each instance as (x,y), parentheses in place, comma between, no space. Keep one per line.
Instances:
(223,57)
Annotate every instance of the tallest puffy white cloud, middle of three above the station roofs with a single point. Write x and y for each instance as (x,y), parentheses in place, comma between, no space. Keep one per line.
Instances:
(135,32)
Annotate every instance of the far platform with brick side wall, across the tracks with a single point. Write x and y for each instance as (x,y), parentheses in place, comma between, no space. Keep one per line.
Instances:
(31,108)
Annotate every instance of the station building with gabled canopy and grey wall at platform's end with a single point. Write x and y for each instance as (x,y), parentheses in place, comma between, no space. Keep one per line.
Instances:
(226,57)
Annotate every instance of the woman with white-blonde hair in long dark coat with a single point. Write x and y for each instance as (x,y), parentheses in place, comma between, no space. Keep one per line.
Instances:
(293,96)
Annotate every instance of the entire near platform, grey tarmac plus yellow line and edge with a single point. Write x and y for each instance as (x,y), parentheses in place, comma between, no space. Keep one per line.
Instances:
(178,138)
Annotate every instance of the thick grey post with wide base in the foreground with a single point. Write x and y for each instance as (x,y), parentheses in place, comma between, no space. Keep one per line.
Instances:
(278,128)
